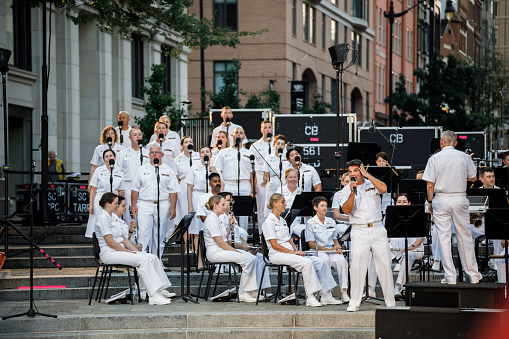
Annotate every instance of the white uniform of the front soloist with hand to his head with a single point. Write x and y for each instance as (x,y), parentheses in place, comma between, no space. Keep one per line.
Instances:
(365,239)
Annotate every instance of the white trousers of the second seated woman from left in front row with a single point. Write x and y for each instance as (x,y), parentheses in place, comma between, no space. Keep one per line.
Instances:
(249,263)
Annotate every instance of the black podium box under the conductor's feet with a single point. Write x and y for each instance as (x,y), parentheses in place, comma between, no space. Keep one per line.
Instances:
(483,295)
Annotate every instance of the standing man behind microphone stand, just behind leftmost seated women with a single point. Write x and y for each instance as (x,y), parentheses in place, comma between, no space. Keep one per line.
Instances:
(144,201)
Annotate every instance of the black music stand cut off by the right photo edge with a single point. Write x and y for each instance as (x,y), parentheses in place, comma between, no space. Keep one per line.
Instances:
(497,227)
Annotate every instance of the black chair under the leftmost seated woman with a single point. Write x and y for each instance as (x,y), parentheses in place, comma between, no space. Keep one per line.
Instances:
(106,275)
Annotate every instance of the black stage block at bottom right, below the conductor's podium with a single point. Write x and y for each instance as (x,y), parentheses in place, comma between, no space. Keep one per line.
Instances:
(401,322)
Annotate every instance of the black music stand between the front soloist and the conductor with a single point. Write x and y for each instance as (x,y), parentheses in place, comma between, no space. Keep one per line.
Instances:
(405,221)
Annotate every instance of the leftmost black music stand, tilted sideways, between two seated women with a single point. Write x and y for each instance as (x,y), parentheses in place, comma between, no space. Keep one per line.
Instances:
(178,236)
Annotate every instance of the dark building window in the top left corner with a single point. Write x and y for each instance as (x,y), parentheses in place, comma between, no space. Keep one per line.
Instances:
(18,29)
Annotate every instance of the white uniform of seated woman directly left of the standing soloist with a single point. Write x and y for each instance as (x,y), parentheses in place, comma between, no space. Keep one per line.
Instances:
(324,235)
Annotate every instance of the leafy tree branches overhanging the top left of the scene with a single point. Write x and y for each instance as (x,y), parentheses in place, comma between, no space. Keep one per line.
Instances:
(151,18)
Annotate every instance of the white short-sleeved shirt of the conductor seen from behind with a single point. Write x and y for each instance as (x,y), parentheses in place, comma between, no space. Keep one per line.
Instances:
(449,169)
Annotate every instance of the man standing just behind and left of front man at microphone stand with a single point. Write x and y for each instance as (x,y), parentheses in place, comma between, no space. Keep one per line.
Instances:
(129,160)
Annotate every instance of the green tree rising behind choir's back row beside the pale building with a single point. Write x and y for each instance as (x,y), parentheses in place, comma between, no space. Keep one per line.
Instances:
(157,103)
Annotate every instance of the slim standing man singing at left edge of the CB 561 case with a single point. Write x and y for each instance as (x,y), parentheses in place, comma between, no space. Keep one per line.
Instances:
(260,149)
